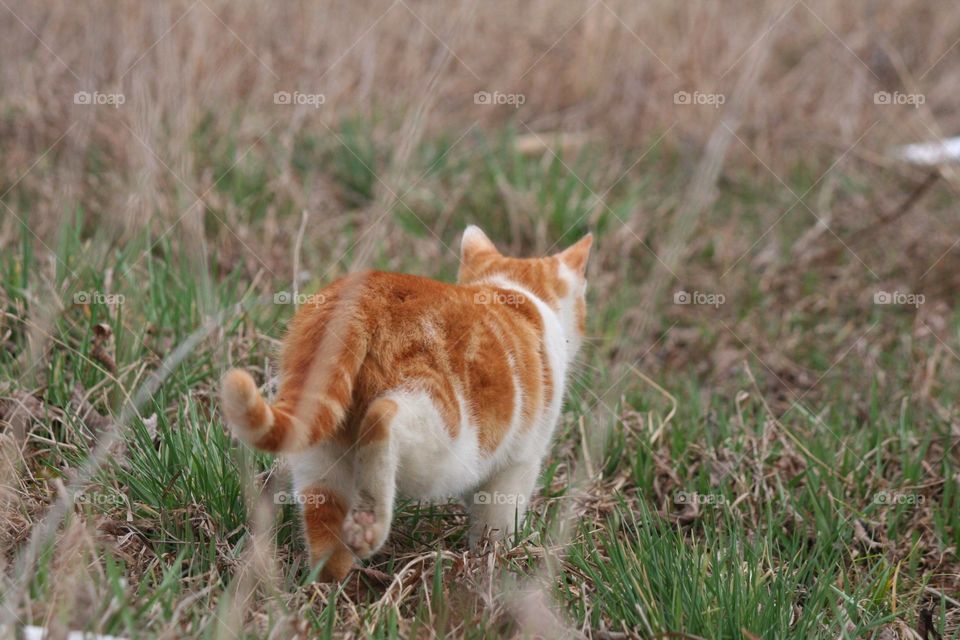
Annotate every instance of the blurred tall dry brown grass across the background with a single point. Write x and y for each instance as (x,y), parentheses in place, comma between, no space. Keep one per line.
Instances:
(605,68)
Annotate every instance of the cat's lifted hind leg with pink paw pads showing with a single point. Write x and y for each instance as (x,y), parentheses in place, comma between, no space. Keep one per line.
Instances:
(367,524)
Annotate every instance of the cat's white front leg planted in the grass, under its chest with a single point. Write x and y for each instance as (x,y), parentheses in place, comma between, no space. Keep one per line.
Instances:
(498,506)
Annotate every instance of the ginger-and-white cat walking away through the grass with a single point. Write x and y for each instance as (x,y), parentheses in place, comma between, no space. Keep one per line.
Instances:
(392,382)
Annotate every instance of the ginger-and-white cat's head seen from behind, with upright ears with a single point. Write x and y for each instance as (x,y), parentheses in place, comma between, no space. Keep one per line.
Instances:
(559,280)
